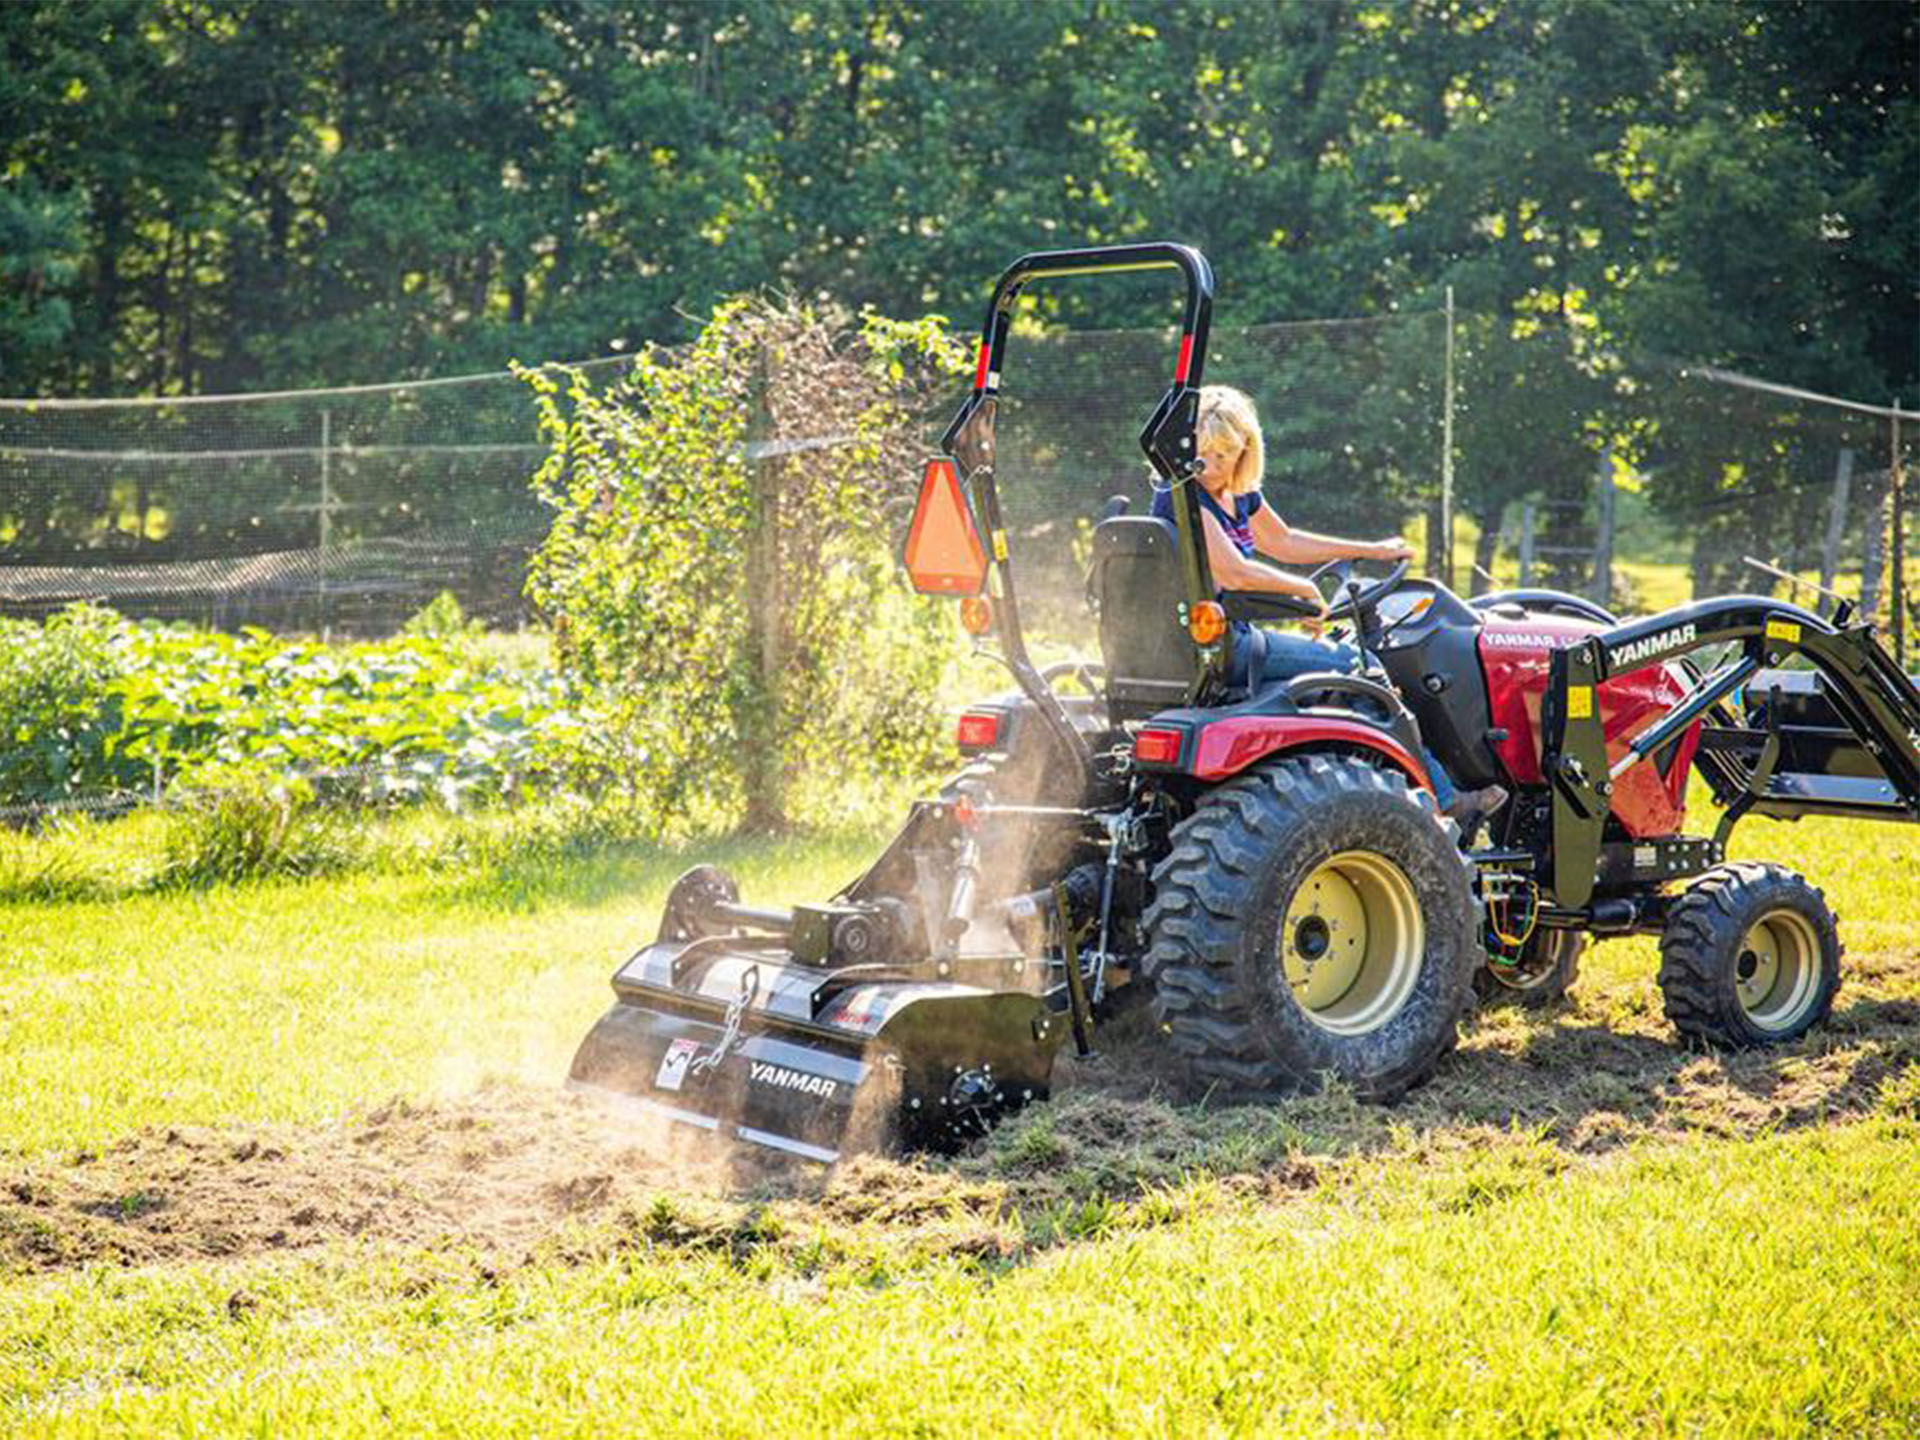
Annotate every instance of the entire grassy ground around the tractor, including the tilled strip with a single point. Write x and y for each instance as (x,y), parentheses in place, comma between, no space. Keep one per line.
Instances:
(291,1157)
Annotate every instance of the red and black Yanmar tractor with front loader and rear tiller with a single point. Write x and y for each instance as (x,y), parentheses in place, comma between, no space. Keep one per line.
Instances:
(1268,865)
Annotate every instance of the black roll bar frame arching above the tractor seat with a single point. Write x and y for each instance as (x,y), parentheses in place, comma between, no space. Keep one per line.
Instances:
(1168,443)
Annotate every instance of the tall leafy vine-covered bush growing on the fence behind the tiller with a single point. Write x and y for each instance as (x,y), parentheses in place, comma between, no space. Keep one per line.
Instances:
(731,598)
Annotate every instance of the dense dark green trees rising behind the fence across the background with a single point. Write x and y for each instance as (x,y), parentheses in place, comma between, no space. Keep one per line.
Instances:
(239,195)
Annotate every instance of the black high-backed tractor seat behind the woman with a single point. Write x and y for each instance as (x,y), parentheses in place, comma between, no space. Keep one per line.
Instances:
(1140,592)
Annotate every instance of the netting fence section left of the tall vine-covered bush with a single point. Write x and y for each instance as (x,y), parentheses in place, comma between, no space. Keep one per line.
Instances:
(320,512)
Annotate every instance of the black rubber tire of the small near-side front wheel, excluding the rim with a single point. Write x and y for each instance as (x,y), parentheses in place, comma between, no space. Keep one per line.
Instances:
(1700,949)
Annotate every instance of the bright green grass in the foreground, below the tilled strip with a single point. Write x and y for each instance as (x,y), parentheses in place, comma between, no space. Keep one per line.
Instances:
(1735,1289)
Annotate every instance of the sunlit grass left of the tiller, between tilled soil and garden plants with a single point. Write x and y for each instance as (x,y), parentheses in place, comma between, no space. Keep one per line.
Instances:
(289,1001)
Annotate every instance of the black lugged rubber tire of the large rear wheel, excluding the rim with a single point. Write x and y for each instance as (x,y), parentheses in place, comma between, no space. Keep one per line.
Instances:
(1220,900)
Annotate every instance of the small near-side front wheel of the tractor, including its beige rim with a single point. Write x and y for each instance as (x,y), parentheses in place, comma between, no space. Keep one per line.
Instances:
(1750,957)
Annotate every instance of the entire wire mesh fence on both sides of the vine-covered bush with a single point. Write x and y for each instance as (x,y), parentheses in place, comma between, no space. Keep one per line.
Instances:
(1639,481)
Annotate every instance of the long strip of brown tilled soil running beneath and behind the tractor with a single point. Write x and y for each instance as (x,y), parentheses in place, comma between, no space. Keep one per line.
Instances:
(517,1174)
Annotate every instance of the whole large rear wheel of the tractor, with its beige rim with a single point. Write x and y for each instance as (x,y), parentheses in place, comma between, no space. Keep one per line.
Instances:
(1314,917)
